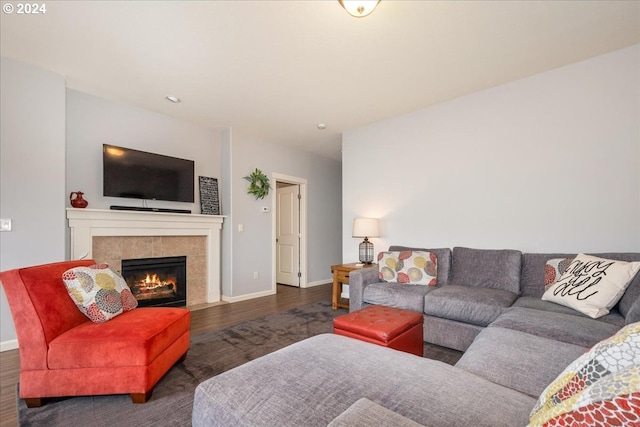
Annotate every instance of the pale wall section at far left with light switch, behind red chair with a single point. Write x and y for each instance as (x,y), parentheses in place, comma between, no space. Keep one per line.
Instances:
(32,165)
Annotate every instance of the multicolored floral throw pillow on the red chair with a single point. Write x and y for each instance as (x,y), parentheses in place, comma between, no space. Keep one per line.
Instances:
(99,292)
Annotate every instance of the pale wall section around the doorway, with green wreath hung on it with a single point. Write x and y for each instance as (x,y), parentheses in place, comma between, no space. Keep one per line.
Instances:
(252,248)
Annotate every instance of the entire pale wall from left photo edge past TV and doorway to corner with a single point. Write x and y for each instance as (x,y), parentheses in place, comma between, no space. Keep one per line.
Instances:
(52,144)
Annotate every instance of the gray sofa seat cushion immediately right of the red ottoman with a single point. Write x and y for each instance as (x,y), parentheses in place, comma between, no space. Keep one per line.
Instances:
(478,306)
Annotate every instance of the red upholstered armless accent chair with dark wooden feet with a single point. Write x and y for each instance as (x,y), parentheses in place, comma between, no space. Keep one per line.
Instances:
(63,353)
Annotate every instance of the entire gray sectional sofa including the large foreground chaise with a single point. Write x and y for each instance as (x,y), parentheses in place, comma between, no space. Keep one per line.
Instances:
(486,303)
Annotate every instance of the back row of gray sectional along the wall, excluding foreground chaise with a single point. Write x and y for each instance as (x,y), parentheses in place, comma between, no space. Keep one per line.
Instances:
(476,286)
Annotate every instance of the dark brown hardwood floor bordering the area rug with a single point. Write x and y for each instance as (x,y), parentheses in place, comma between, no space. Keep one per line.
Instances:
(206,319)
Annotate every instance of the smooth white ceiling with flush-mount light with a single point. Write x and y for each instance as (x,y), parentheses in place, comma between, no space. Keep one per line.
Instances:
(275,69)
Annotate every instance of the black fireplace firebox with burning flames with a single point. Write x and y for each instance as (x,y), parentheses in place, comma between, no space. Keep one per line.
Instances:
(157,281)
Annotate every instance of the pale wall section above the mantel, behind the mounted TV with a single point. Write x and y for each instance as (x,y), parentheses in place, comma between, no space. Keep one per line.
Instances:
(93,121)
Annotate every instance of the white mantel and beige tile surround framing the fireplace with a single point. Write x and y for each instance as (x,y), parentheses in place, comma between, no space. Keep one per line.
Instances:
(111,236)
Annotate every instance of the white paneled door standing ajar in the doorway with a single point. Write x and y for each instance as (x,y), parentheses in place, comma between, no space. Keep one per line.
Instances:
(288,235)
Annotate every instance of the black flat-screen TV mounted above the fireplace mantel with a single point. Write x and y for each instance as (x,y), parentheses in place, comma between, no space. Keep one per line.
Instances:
(140,175)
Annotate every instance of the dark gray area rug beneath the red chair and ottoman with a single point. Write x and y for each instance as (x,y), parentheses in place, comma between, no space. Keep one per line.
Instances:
(210,354)
